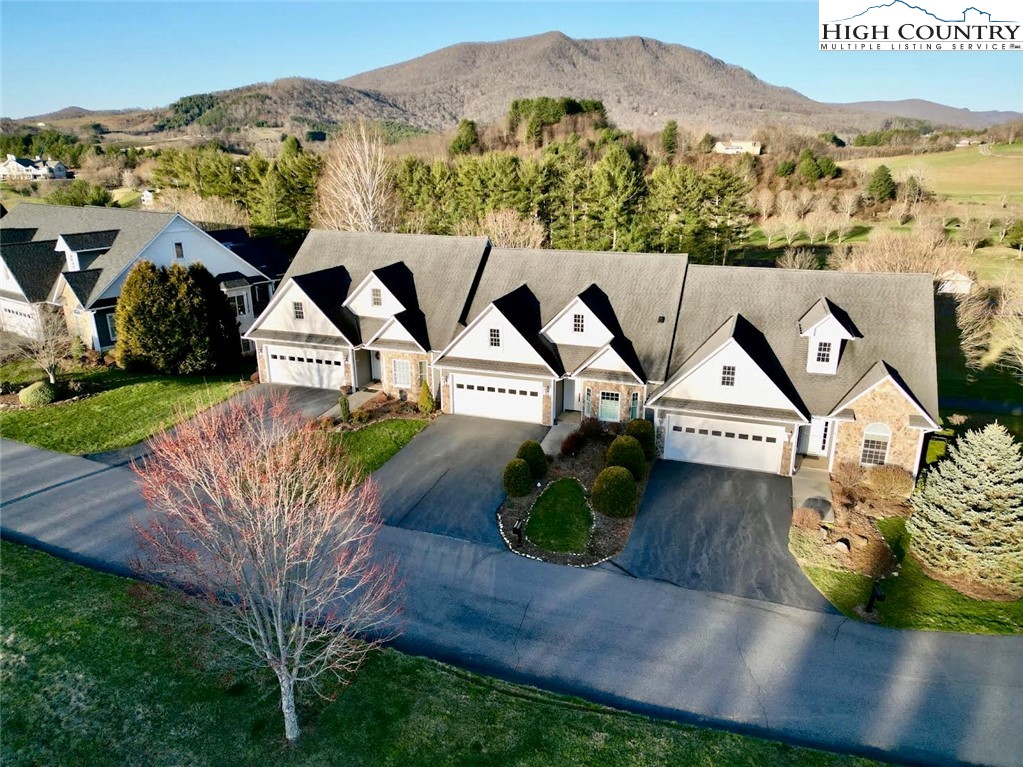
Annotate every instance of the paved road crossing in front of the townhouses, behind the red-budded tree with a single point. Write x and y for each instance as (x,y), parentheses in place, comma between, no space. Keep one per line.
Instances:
(779,671)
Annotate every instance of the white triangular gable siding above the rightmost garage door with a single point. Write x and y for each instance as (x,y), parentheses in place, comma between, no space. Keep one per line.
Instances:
(753,387)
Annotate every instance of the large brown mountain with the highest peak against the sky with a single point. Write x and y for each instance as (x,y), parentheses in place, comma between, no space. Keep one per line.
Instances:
(643,83)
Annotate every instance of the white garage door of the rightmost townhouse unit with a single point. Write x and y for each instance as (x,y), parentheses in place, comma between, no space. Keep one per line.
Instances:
(752,446)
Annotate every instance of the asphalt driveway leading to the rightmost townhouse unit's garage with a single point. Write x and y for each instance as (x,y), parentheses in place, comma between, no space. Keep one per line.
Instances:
(719,530)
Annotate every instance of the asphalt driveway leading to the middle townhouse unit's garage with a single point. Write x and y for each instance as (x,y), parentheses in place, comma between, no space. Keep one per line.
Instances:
(448,480)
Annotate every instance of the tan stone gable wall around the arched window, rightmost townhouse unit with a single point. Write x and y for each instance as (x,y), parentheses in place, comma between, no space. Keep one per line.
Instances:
(885,404)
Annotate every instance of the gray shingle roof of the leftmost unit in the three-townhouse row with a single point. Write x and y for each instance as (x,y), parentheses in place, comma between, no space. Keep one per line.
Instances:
(442,269)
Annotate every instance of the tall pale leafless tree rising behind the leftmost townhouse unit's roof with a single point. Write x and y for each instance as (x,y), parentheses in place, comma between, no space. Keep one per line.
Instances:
(355,191)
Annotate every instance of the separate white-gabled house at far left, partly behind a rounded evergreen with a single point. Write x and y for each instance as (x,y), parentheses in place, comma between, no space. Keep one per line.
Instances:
(78,259)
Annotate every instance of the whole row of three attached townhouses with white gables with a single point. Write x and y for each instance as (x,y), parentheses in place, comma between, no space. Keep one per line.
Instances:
(760,370)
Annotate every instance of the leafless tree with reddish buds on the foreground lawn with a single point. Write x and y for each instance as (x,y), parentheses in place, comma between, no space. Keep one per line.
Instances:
(257,514)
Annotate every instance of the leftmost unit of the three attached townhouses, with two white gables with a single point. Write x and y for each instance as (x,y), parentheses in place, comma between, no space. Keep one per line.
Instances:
(358,309)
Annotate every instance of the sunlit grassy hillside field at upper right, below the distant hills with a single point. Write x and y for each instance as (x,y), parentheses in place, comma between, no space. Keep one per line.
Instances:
(965,175)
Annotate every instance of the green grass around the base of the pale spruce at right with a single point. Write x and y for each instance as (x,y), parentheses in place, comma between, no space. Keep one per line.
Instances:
(915,602)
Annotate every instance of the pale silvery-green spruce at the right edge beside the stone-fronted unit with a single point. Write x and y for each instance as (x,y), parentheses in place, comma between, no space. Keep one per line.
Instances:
(968,518)
